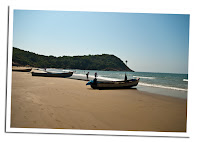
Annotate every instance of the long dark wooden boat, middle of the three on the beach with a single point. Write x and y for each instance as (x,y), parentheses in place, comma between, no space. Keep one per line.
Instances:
(50,74)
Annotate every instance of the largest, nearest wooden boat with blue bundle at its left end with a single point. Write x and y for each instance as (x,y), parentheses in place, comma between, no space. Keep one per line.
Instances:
(113,84)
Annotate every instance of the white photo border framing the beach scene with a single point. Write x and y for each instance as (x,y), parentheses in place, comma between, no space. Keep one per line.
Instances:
(76,131)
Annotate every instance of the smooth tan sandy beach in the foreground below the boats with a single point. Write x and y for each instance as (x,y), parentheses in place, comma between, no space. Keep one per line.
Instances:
(63,103)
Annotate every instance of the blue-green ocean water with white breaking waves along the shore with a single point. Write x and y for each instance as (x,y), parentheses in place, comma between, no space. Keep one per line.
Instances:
(170,84)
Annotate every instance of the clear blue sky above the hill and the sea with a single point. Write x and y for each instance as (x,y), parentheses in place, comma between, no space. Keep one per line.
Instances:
(149,42)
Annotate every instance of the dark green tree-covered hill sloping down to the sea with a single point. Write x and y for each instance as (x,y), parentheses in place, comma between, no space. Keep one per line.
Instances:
(90,62)
